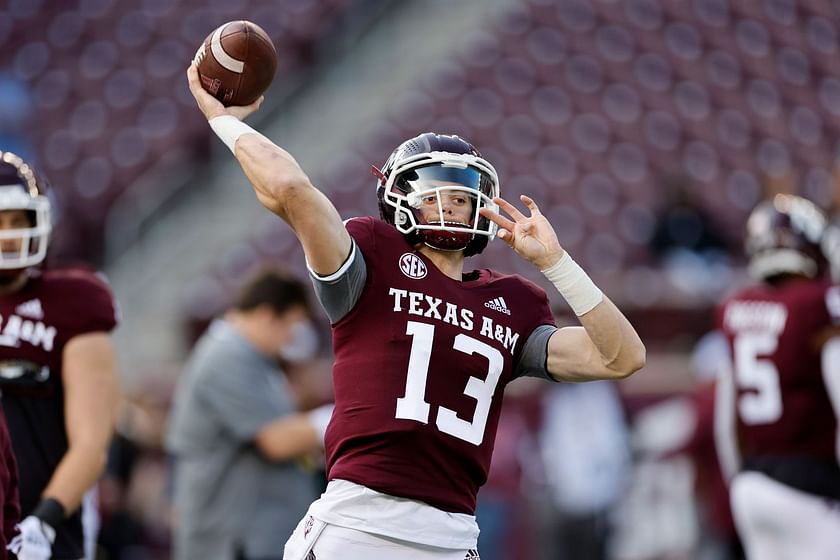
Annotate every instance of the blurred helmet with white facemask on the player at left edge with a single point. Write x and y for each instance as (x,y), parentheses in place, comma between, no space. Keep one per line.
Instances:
(22,189)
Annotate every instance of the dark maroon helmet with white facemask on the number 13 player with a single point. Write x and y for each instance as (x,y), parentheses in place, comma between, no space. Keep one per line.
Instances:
(427,167)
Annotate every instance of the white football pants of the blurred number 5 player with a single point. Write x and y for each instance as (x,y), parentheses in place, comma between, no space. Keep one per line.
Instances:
(777,522)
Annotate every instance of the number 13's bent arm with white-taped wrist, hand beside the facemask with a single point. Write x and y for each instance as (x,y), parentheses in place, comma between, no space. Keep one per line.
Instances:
(607,346)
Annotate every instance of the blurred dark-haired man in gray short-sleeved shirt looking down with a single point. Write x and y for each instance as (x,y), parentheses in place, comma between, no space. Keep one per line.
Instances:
(234,432)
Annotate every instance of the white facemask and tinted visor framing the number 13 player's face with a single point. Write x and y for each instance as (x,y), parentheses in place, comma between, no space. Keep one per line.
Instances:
(429,193)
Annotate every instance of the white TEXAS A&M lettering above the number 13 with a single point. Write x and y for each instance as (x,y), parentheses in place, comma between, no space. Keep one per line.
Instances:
(422,305)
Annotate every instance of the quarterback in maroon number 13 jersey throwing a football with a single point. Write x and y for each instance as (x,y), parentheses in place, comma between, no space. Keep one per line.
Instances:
(423,350)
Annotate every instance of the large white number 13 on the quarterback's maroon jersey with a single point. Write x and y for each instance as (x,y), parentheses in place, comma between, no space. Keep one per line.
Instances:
(413,405)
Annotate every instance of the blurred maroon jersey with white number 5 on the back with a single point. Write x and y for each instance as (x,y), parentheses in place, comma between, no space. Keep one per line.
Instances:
(782,403)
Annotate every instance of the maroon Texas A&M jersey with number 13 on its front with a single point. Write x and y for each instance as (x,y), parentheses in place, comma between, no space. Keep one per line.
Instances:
(421,363)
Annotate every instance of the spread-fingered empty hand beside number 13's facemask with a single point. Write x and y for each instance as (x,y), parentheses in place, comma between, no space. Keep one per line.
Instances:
(532,237)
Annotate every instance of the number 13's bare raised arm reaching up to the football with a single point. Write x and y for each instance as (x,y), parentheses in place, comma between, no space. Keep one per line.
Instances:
(279,182)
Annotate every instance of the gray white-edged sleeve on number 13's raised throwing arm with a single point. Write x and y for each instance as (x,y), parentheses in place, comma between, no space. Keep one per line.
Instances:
(339,292)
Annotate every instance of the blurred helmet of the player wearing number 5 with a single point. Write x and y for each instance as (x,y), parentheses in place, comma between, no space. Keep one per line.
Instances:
(785,235)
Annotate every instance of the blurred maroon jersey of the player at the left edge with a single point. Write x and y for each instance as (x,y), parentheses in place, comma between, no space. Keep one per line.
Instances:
(35,325)
